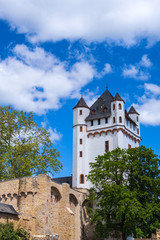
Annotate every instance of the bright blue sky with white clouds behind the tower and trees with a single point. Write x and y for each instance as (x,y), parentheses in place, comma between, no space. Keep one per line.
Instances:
(54,51)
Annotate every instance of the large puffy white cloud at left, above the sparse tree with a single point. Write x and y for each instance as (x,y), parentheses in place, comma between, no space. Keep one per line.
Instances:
(37,81)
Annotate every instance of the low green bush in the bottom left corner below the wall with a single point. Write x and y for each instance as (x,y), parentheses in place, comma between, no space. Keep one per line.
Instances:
(7,232)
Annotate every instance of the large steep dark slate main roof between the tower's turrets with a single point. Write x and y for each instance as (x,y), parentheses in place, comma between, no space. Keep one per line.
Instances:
(103,102)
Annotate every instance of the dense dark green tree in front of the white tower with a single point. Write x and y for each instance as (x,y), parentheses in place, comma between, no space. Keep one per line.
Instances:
(126,193)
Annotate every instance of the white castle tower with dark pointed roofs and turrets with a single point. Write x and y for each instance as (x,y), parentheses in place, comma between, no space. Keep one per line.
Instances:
(104,126)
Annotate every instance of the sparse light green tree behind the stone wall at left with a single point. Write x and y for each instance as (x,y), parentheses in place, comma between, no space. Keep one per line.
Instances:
(25,149)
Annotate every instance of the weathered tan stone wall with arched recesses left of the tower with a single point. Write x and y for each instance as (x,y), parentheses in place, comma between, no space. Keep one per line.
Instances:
(45,207)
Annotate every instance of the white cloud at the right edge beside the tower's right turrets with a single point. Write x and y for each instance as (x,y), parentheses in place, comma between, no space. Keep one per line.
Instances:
(149,105)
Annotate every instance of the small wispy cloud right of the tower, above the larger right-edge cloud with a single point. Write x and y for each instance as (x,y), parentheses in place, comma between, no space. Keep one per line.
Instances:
(139,71)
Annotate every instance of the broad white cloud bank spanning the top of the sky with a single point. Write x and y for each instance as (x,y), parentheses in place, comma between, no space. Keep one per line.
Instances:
(121,21)
